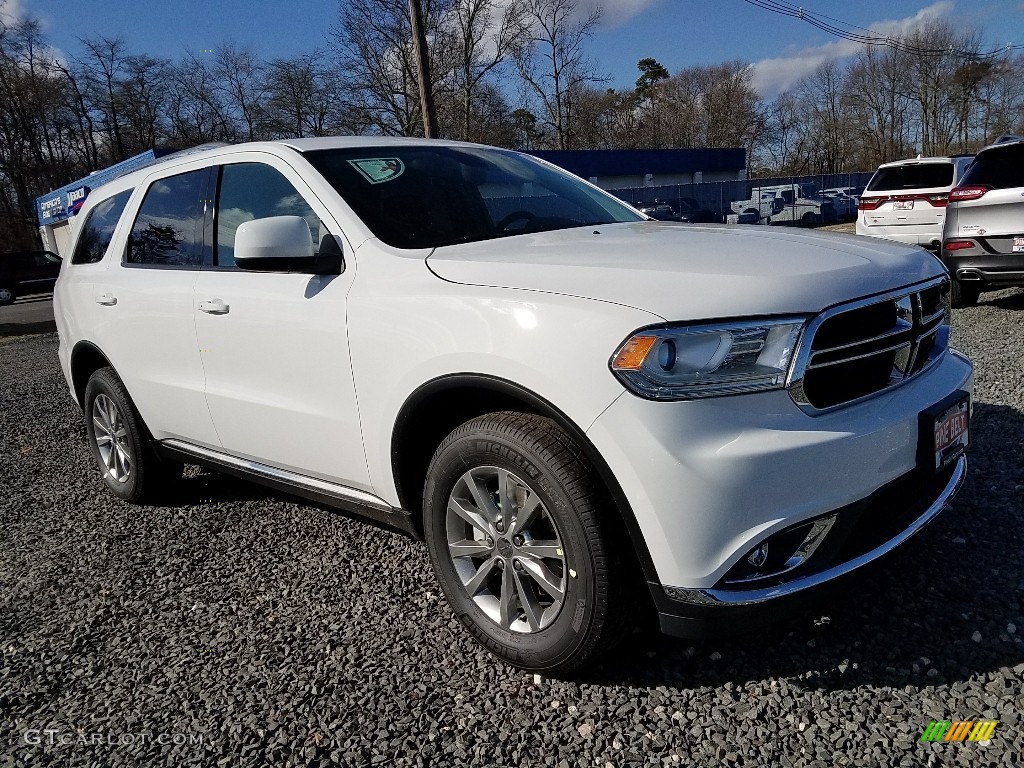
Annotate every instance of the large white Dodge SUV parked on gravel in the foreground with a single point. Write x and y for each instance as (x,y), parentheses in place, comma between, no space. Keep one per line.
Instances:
(584,413)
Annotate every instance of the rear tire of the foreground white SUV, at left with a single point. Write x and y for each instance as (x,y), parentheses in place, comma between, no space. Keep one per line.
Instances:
(146,476)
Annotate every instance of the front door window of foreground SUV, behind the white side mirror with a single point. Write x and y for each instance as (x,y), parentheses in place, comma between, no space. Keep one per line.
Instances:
(254,191)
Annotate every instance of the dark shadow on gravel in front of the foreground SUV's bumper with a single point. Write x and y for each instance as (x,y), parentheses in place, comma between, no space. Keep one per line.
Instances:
(944,610)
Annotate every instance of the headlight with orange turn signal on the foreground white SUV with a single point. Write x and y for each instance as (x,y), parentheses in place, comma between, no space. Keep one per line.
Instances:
(688,362)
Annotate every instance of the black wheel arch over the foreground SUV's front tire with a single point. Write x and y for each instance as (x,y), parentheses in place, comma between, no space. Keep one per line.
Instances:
(440,406)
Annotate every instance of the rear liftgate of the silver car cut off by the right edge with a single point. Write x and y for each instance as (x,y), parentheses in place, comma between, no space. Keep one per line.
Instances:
(997,219)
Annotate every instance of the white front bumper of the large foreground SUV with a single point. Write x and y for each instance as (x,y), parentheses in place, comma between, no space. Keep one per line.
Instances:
(708,481)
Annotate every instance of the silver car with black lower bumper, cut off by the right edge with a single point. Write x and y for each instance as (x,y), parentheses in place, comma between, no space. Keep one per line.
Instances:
(984,238)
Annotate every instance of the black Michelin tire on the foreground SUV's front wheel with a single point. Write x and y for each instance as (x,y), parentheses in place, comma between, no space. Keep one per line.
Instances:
(595,610)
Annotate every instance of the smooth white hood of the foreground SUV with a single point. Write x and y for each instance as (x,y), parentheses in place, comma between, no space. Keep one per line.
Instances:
(685,273)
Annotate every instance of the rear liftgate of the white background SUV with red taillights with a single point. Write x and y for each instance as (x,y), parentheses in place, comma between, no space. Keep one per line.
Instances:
(909,195)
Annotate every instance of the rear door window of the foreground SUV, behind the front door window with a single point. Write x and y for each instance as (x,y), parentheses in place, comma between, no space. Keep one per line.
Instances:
(168,230)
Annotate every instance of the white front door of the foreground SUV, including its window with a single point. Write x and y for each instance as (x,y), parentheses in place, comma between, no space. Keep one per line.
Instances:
(275,346)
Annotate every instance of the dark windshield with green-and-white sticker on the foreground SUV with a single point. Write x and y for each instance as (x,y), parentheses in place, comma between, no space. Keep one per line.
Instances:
(424,197)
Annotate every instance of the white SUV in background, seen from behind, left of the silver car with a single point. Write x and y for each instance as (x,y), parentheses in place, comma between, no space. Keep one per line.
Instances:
(907,200)
